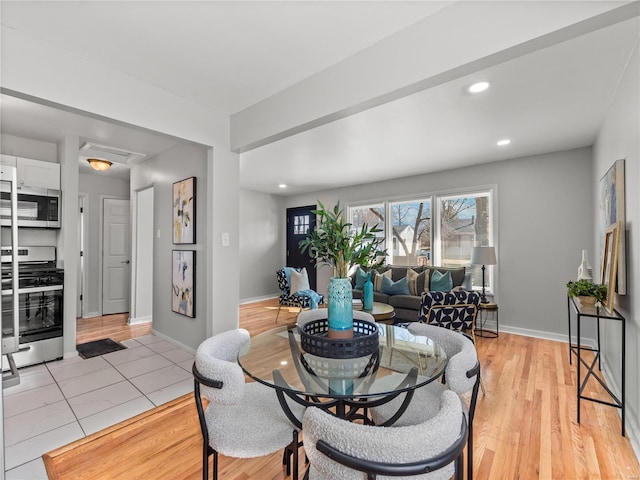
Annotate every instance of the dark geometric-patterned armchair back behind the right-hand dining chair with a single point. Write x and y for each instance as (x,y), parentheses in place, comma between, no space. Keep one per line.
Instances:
(455,310)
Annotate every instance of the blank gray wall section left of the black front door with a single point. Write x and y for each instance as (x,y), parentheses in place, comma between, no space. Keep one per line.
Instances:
(261,220)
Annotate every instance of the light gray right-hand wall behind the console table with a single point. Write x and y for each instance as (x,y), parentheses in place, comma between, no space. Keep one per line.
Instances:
(619,138)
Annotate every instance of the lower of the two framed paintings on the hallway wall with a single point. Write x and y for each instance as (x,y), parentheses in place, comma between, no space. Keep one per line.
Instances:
(183,300)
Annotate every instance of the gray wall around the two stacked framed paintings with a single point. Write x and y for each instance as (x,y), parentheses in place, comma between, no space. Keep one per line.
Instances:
(162,171)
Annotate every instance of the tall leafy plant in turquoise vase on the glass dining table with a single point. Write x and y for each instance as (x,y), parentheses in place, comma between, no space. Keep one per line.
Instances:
(334,242)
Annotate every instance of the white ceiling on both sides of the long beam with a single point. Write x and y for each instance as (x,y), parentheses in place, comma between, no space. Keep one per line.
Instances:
(231,55)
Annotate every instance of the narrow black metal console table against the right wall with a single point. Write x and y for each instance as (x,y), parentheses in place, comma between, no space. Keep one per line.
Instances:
(582,313)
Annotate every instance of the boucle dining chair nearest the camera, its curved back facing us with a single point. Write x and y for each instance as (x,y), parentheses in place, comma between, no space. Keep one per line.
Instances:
(433,449)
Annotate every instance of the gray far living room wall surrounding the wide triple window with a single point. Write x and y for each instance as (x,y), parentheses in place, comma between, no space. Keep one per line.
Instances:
(544,218)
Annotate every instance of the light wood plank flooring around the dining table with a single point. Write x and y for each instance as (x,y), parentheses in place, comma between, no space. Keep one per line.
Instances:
(525,425)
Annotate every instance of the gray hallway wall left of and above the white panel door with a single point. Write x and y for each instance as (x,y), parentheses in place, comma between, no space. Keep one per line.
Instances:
(96,188)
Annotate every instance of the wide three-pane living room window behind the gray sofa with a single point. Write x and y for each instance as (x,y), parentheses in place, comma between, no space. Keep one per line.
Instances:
(434,230)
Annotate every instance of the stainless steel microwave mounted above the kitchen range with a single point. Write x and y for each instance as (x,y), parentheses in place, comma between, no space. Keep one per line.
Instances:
(37,207)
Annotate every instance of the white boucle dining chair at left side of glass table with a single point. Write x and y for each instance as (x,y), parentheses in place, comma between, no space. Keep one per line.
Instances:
(243,419)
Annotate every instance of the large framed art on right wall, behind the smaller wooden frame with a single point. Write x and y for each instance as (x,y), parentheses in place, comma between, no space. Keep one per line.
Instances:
(612,210)
